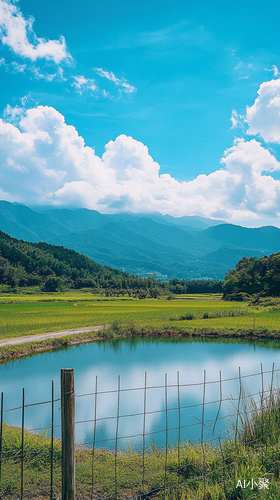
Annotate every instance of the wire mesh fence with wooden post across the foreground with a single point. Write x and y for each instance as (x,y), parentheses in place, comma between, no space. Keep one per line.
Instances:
(175,447)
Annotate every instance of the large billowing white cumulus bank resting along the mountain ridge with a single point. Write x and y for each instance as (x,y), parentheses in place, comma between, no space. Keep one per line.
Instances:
(45,161)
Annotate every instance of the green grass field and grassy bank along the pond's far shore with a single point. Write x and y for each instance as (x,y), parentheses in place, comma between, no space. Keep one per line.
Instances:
(185,316)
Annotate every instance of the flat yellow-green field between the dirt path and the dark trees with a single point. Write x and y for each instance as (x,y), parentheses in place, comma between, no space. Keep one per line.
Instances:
(31,314)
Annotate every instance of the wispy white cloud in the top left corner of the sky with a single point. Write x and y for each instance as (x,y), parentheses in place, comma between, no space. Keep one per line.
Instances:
(17,33)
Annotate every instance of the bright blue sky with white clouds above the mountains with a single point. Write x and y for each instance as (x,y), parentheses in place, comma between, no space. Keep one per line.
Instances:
(87,87)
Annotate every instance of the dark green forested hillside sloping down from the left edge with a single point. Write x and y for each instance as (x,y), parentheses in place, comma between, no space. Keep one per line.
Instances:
(51,267)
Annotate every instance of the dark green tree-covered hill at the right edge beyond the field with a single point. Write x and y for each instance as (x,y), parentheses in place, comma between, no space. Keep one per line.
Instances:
(253,276)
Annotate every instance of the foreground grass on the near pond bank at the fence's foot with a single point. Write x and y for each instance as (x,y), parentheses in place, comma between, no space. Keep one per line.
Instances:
(256,454)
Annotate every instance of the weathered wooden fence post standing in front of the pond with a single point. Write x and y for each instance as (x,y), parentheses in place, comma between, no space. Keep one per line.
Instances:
(68,433)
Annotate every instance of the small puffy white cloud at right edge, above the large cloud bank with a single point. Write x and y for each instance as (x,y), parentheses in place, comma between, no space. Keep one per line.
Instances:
(263,117)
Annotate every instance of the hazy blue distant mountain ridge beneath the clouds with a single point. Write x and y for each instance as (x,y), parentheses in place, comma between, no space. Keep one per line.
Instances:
(143,243)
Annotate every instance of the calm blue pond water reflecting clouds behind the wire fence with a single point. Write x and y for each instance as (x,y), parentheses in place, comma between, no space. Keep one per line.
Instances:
(165,361)
